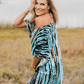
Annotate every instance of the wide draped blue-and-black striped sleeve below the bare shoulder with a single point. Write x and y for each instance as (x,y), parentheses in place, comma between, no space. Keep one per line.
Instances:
(42,43)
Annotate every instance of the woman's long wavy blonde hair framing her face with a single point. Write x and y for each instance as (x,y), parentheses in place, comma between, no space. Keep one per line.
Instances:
(52,10)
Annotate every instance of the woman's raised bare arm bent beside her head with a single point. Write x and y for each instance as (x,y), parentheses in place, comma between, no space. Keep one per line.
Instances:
(19,22)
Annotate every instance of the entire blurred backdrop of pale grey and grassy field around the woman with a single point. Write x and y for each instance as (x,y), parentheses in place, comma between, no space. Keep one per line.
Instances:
(15,46)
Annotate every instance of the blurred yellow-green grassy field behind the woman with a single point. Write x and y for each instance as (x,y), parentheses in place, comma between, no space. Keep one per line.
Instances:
(16,57)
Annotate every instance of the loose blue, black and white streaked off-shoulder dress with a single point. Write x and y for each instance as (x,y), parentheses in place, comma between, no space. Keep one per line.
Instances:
(45,45)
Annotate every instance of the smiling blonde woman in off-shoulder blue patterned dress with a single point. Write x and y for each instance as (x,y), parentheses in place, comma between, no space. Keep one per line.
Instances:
(44,42)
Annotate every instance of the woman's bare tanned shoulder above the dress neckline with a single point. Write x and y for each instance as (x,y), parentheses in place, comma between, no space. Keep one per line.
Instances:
(43,20)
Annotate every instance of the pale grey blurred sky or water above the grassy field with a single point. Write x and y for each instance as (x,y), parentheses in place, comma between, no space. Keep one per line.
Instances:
(70,11)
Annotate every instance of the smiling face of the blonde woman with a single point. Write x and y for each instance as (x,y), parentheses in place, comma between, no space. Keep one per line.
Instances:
(41,7)
